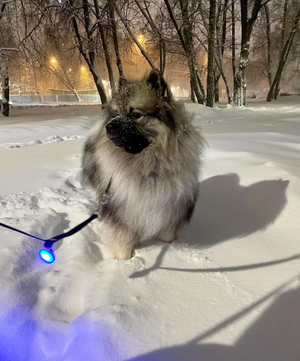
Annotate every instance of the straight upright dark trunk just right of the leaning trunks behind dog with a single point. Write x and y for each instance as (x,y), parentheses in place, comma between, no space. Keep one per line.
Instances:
(210,54)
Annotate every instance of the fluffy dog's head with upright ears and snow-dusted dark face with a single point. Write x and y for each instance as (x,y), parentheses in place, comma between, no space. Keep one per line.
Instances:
(140,113)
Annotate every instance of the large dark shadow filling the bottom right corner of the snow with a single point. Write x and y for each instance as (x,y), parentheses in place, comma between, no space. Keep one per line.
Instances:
(273,337)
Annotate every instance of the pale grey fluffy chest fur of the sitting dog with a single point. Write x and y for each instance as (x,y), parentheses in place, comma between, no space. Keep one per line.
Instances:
(146,198)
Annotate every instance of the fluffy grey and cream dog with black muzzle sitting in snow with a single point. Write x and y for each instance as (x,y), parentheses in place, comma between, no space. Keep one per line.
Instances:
(143,157)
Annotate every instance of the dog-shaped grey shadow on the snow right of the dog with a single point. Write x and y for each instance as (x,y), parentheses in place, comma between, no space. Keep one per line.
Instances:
(227,210)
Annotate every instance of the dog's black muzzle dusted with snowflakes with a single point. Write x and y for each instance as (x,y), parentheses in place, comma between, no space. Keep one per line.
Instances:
(122,131)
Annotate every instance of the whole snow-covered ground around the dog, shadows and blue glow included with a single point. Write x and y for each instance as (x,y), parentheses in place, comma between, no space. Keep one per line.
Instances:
(227,290)
